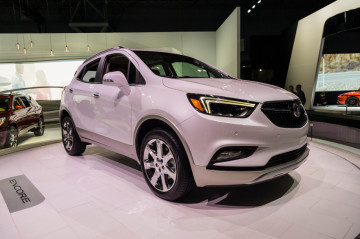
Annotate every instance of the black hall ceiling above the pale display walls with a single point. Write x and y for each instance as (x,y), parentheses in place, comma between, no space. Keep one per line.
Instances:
(24,16)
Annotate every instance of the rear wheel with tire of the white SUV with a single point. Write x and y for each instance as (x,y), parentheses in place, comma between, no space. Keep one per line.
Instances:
(71,140)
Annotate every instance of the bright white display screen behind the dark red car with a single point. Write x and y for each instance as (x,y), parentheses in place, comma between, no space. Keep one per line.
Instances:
(37,74)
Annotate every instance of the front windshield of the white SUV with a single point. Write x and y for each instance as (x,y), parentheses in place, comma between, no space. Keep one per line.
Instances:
(178,66)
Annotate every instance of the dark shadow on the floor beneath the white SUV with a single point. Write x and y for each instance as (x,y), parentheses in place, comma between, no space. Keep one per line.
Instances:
(254,195)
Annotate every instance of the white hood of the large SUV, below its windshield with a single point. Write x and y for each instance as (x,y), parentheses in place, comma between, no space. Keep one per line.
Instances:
(233,88)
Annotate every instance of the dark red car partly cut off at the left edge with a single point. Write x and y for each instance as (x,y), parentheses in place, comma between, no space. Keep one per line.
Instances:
(19,114)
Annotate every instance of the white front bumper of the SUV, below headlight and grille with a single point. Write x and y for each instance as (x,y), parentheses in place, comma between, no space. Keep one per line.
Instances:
(205,135)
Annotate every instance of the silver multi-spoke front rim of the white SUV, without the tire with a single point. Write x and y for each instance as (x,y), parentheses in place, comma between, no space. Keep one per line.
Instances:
(159,165)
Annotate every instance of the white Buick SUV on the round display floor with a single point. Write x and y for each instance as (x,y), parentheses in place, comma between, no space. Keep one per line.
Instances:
(185,122)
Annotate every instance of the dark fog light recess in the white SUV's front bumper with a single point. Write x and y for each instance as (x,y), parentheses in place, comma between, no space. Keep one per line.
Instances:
(232,153)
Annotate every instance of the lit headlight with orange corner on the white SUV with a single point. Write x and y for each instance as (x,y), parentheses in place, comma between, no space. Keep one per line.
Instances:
(220,106)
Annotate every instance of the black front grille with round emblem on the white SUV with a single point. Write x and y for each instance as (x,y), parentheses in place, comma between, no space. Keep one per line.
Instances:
(285,114)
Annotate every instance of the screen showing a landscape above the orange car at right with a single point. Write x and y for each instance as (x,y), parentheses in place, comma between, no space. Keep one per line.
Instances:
(339,72)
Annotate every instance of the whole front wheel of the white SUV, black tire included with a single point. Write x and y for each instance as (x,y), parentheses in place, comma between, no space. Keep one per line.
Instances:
(165,165)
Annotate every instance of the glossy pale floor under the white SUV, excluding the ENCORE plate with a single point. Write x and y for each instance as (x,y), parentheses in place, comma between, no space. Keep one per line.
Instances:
(103,195)
